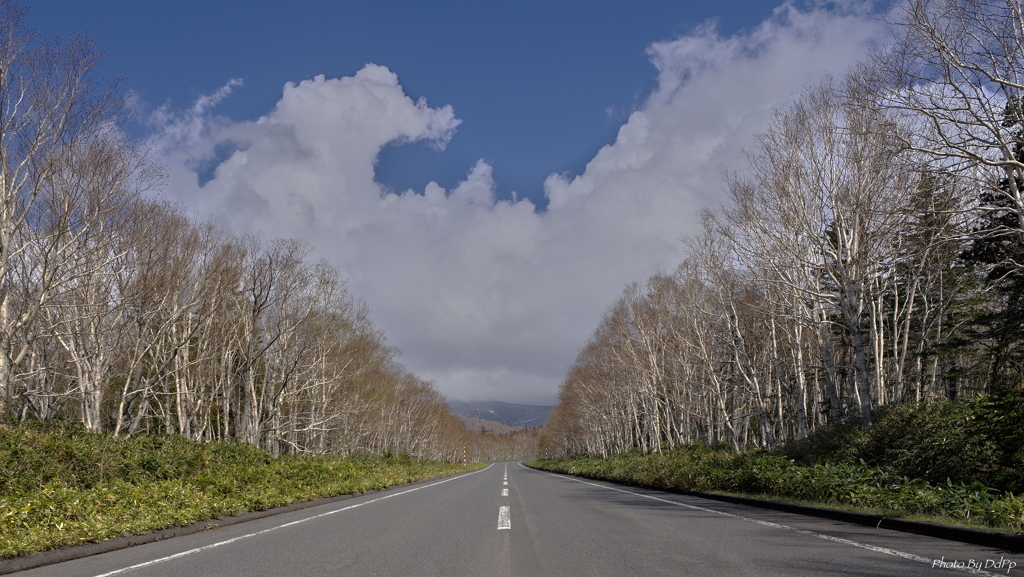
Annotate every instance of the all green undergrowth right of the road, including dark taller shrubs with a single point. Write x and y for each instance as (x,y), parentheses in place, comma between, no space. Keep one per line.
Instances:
(959,463)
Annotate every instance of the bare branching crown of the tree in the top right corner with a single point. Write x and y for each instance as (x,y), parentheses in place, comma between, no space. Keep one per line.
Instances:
(957,69)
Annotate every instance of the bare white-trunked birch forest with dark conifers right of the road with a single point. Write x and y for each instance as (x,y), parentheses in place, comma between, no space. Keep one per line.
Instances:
(870,253)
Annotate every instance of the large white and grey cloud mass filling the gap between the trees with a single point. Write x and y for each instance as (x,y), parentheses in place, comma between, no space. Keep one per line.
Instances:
(489,298)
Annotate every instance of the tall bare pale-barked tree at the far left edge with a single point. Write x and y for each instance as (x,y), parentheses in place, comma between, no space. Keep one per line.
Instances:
(59,130)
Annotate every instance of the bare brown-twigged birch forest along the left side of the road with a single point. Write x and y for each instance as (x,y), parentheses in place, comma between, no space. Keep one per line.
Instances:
(132,316)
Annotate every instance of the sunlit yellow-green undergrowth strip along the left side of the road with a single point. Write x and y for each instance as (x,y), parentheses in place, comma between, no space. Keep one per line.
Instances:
(62,485)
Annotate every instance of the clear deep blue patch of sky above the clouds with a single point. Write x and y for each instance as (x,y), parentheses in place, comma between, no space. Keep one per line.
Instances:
(540,86)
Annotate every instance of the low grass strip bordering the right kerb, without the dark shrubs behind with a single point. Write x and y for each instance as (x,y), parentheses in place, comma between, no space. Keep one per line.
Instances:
(839,486)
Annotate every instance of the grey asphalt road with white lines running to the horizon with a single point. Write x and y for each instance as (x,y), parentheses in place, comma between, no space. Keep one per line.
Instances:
(509,520)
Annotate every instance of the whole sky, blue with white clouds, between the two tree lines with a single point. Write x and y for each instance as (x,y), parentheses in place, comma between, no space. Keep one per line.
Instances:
(613,122)
